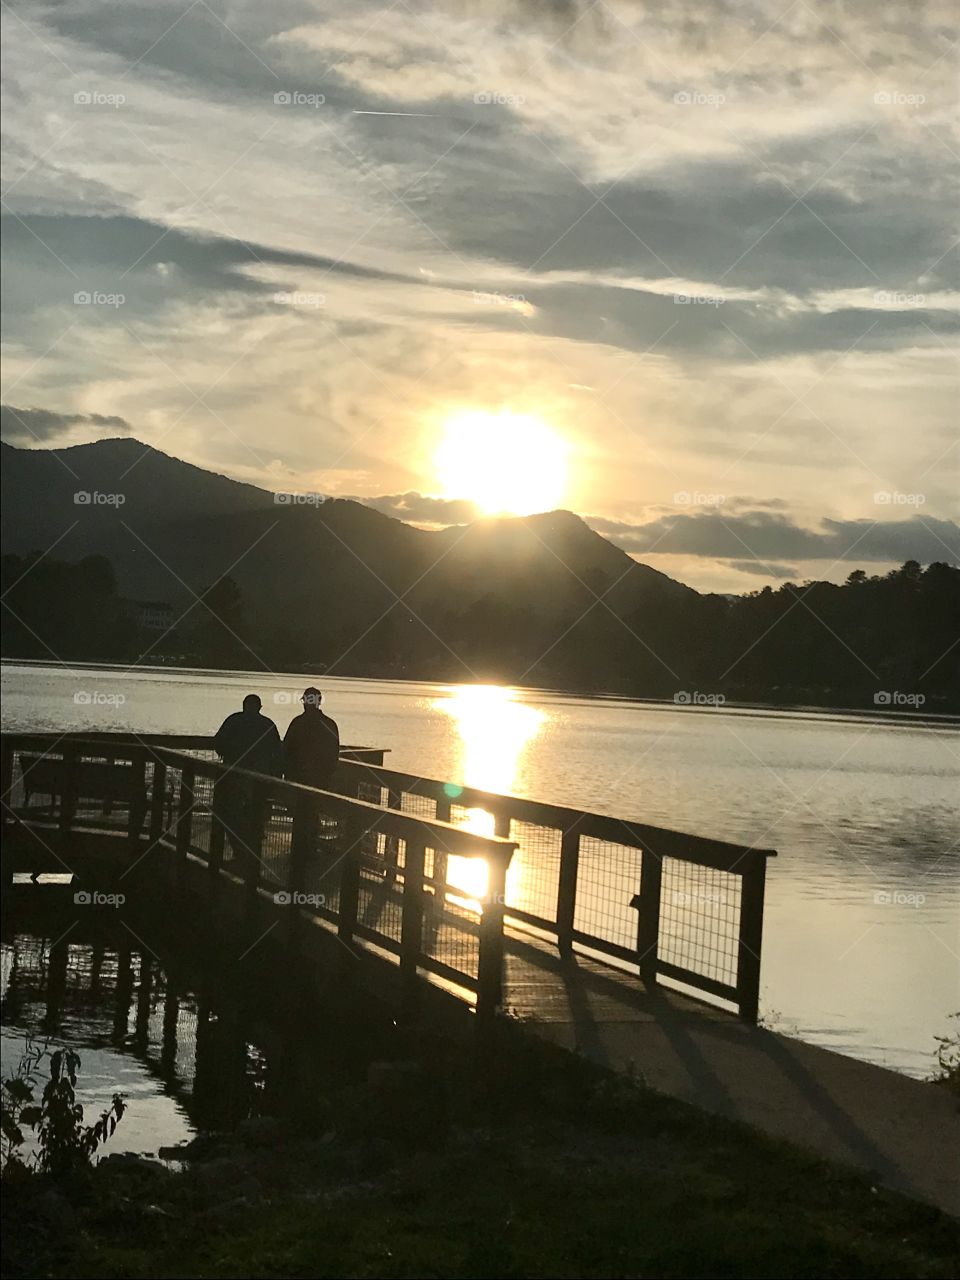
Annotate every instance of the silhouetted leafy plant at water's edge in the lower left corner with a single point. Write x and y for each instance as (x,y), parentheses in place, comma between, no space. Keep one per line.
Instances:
(65,1144)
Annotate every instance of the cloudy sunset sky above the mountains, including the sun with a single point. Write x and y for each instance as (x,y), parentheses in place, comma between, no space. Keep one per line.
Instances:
(689,268)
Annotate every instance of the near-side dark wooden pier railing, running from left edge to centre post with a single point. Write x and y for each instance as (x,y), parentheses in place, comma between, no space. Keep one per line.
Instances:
(372,874)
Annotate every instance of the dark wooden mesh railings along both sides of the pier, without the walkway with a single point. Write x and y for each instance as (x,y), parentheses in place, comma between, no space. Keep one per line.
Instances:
(440,881)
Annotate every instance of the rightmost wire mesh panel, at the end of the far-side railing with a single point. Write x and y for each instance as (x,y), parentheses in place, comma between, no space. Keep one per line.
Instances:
(701,920)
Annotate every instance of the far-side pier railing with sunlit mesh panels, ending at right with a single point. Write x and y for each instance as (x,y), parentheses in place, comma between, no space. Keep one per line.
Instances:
(665,903)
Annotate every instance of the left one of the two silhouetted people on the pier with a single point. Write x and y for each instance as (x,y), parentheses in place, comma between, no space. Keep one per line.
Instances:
(246,740)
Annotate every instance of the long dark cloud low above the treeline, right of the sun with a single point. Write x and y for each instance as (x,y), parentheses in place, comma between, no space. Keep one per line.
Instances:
(772,537)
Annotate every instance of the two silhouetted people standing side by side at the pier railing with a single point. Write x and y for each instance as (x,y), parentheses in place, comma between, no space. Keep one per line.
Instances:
(249,740)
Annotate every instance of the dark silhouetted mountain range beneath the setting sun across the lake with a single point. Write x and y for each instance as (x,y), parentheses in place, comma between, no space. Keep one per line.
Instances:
(339,583)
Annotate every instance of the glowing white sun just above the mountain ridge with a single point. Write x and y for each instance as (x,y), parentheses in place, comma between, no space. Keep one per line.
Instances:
(505,463)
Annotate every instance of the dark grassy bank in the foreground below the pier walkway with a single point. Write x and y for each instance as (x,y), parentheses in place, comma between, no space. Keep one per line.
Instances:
(536,1165)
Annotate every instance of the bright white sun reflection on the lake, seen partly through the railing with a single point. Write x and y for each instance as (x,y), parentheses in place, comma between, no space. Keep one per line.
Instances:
(495,732)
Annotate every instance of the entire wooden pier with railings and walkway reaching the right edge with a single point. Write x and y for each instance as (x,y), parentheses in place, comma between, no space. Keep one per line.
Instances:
(633,945)
